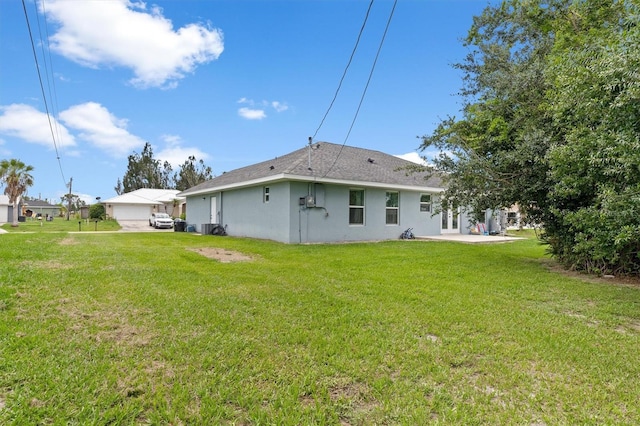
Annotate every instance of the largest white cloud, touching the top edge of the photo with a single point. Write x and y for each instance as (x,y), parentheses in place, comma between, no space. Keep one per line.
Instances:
(123,33)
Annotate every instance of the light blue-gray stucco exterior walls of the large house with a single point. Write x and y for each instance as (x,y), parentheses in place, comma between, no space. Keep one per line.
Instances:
(288,216)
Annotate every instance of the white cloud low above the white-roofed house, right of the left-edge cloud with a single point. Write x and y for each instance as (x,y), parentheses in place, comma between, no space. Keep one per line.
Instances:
(101,128)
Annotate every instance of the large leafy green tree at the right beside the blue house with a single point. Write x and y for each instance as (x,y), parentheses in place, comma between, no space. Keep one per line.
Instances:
(550,122)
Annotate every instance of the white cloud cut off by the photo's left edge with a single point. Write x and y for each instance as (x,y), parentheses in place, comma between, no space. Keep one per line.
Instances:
(29,124)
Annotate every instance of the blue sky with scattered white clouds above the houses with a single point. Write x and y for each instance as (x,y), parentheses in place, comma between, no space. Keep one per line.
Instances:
(233,82)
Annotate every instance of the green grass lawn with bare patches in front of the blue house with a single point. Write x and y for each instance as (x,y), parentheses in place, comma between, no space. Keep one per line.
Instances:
(124,328)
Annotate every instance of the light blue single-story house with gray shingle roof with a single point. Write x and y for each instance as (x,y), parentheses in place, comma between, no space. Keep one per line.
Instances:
(323,193)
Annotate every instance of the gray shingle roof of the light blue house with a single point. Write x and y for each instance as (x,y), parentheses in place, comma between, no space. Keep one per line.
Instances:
(329,163)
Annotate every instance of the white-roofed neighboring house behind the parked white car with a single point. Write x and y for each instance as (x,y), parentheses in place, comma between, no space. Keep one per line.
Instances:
(139,204)
